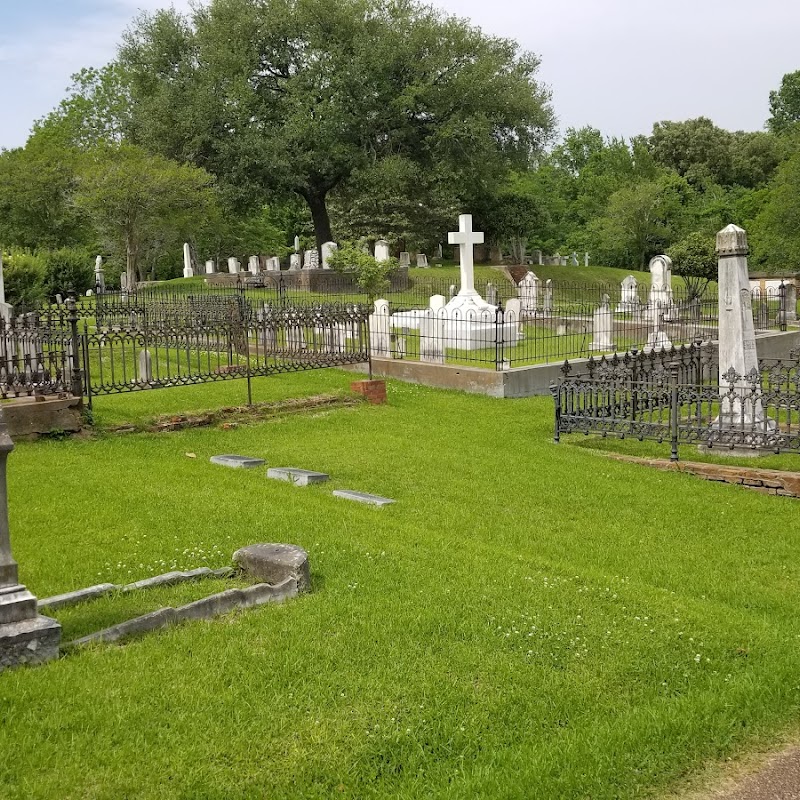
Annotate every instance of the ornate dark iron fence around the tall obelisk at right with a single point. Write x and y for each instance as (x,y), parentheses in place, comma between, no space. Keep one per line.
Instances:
(757,411)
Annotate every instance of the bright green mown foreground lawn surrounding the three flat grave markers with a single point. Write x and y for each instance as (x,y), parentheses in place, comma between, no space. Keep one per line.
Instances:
(530,620)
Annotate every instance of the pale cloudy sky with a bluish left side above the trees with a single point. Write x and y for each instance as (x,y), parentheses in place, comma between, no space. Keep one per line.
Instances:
(618,65)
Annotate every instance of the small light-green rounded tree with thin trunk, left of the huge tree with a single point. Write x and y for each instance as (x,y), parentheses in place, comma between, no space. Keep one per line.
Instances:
(137,200)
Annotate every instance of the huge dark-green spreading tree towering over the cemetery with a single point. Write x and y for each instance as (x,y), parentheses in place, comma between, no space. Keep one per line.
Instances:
(278,96)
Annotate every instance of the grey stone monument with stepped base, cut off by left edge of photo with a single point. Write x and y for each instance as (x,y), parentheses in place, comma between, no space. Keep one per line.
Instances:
(25,636)
